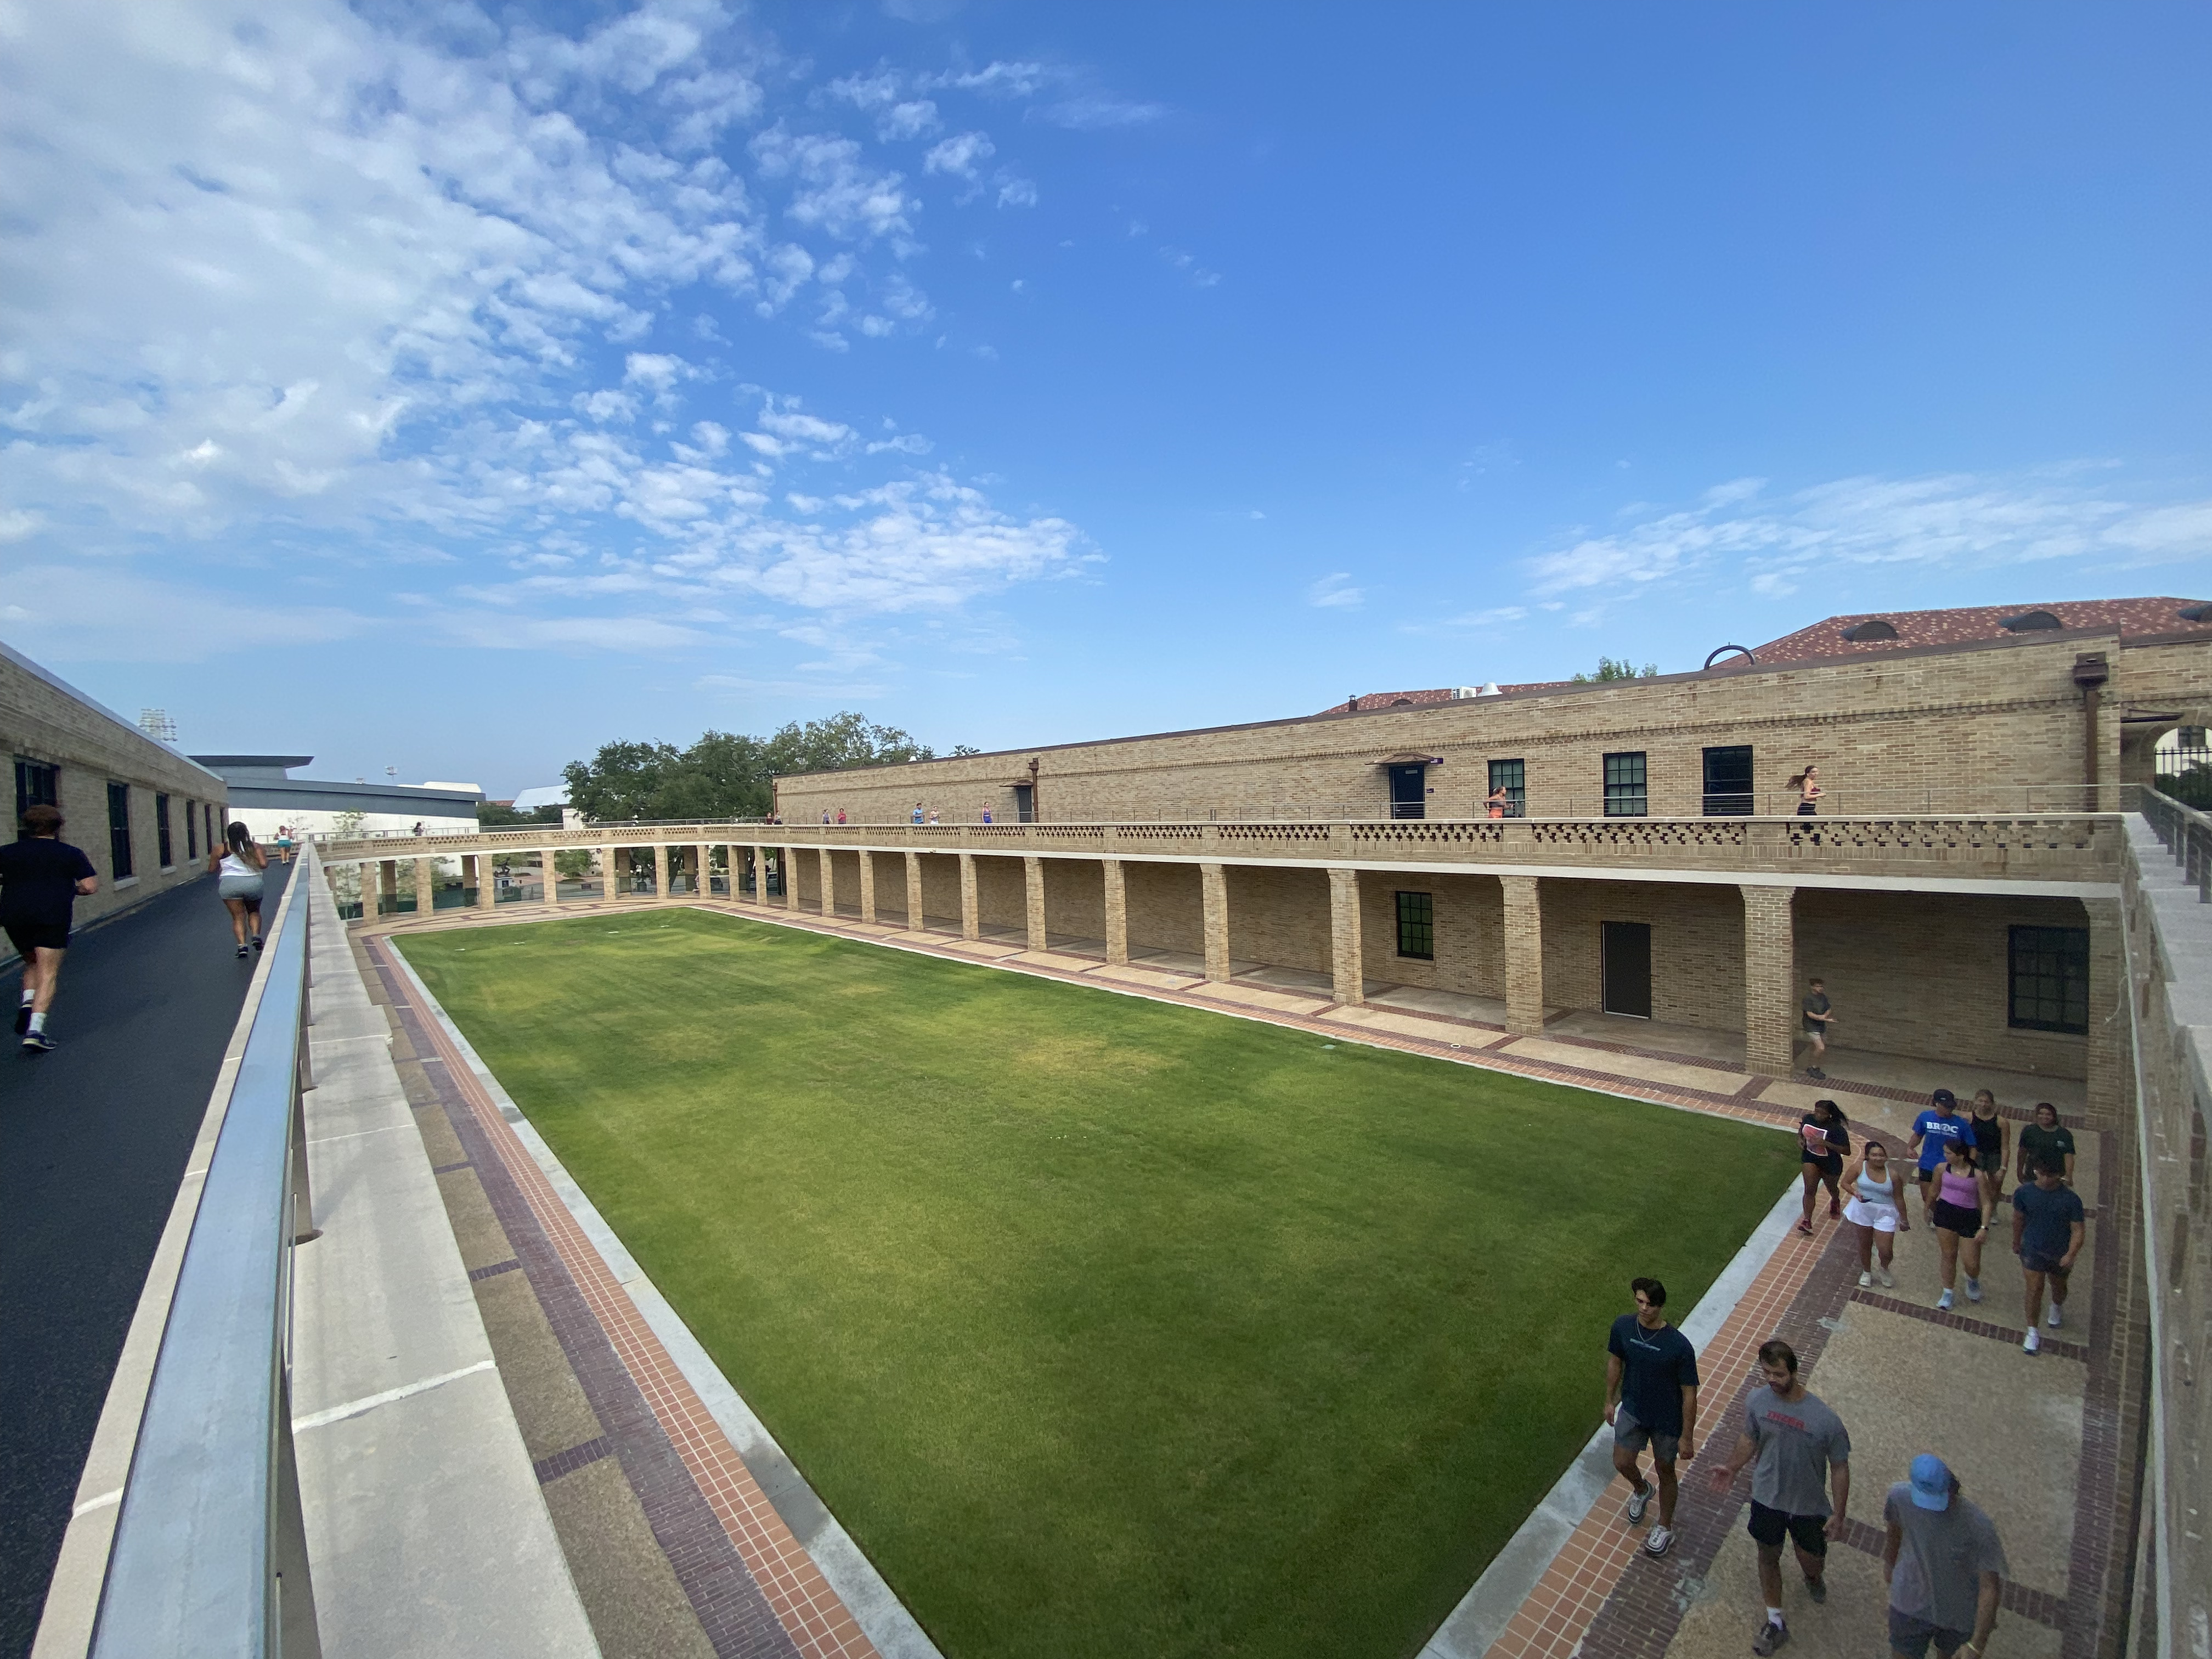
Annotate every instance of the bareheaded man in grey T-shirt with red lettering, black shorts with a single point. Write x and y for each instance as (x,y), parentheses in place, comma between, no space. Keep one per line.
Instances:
(1802,1448)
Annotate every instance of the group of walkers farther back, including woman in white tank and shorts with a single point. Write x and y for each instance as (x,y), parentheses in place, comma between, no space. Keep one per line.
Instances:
(1959,1162)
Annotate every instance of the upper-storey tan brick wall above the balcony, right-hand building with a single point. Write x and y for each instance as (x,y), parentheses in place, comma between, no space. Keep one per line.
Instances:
(1987,729)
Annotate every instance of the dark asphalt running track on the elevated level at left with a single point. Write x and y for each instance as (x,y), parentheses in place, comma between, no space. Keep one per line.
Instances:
(92,1147)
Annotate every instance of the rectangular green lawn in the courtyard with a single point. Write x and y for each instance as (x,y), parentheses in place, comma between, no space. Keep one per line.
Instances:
(1107,1328)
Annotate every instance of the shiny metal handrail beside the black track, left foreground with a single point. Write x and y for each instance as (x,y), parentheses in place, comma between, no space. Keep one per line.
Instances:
(209,1552)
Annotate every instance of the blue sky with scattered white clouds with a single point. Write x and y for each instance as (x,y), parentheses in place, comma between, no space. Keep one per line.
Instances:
(461,388)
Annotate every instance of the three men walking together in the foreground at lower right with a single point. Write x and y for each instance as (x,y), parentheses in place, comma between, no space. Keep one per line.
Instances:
(1941,1554)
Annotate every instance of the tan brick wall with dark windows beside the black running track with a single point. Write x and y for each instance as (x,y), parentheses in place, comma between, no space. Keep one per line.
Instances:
(43,720)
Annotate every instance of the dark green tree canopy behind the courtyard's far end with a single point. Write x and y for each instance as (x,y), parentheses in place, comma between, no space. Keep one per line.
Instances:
(727,775)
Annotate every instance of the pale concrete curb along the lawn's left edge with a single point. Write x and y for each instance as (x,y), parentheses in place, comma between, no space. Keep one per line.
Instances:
(870,1600)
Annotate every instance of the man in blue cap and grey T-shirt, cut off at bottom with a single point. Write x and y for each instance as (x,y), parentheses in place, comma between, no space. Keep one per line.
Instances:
(1943,1563)
